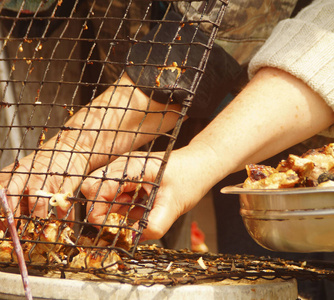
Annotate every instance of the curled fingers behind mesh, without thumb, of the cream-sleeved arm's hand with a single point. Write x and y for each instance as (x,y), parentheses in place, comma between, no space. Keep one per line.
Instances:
(117,193)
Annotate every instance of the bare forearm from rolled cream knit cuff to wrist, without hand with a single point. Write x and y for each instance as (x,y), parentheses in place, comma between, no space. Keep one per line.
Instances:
(274,112)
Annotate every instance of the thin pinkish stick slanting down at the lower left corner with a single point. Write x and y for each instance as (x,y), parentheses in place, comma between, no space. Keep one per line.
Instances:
(16,243)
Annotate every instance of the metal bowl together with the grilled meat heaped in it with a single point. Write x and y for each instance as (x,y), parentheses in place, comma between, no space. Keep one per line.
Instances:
(290,208)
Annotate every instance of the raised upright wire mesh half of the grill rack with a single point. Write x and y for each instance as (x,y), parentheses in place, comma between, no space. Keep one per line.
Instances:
(56,58)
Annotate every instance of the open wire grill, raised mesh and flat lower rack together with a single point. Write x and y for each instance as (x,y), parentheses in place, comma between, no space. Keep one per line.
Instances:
(55,58)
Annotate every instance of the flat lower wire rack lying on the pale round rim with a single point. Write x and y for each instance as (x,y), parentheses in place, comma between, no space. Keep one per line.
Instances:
(153,265)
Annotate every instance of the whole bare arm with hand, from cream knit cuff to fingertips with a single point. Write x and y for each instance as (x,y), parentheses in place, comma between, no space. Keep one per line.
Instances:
(273,112)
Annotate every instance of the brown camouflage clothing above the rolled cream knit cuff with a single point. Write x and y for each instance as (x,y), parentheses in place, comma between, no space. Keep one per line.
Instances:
(246,23)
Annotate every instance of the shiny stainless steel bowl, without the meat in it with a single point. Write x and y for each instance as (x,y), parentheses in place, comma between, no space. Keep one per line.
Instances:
(288,220)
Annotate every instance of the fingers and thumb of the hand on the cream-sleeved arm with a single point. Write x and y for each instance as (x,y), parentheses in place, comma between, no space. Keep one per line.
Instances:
(116,197)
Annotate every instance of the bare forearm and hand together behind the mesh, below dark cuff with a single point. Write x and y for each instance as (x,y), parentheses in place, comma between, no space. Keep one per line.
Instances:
(111,124)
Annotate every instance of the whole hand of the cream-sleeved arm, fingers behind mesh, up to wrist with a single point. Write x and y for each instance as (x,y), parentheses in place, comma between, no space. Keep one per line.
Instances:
(182,186)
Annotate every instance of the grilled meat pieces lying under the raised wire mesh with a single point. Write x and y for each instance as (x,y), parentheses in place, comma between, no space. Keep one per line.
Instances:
(53,241)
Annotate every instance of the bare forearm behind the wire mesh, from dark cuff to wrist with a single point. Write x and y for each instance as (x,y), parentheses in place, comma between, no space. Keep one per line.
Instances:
(114,121)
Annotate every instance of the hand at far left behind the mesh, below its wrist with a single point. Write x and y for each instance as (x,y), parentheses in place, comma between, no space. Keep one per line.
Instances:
(54,168)
